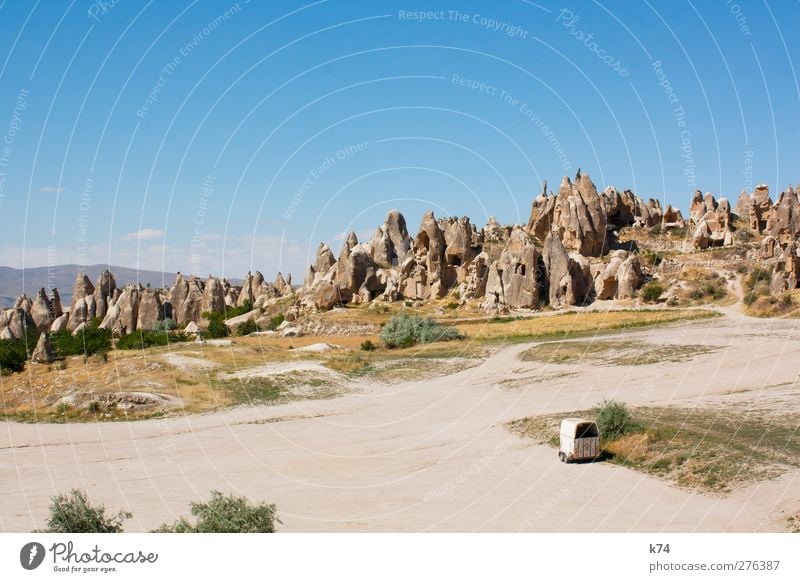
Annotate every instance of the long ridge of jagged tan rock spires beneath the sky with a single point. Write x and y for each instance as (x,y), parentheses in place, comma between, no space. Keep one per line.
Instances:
(570,253)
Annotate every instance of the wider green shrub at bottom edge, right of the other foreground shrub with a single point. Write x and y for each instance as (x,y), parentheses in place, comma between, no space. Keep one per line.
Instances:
(226,515)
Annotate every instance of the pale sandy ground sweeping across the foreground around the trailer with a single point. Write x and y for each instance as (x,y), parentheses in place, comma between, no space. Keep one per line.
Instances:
(423,456)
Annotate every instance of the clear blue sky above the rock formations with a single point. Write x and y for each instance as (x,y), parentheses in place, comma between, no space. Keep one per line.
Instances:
(465,112)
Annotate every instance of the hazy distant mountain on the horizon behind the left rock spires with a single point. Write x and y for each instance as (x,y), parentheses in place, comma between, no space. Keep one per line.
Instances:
(62,277)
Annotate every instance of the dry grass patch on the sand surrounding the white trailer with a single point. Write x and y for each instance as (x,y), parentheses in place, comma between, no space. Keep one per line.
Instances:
(715,450)
